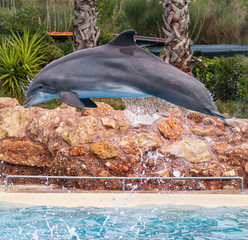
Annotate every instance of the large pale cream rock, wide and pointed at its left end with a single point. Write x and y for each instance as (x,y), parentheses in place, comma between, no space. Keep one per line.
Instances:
(193,150)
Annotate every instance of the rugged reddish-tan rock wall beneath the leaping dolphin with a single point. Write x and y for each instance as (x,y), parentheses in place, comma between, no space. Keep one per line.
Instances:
(103,142)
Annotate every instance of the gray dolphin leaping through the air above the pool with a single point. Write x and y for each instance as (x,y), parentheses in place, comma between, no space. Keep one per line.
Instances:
(119,69)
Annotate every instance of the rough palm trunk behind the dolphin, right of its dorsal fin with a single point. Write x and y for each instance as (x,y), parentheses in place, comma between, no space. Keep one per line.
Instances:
(176,27)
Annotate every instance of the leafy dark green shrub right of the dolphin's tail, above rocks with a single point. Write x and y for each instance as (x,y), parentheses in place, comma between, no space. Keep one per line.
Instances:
(222,75)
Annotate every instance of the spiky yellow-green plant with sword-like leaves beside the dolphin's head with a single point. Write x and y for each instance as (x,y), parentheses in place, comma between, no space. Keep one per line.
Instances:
(20,58)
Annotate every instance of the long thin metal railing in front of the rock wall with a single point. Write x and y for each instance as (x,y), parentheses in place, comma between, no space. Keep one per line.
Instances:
(124,179)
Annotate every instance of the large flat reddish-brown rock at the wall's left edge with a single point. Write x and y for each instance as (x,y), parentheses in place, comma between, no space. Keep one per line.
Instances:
(24,153)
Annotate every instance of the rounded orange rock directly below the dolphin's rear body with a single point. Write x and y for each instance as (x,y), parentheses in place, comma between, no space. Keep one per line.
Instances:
(170,129)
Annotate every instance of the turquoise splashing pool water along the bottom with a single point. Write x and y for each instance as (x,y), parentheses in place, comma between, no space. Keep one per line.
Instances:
(94,223)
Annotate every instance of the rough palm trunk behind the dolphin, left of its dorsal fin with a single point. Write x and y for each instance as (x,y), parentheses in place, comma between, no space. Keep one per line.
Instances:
(85,33)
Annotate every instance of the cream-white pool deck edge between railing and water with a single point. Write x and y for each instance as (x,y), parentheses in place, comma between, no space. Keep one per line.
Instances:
(113,199)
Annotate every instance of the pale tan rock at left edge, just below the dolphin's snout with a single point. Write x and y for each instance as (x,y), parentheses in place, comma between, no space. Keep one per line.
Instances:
(12,121)
